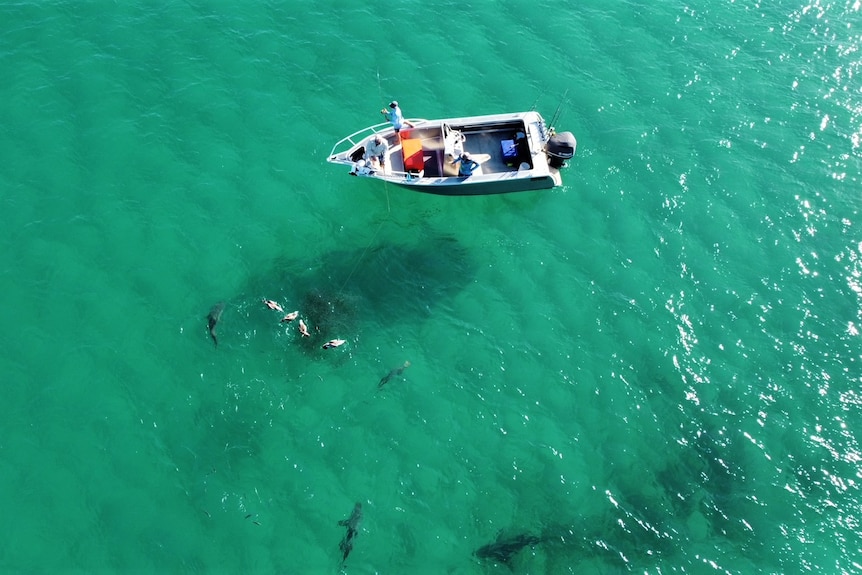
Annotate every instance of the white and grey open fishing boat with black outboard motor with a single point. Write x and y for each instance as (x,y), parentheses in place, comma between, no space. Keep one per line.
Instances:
(508,153)
